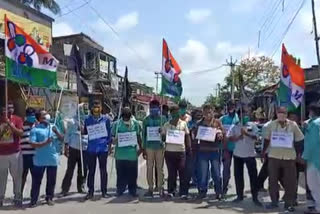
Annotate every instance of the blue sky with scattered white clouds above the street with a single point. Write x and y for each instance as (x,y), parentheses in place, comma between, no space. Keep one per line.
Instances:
(201,34)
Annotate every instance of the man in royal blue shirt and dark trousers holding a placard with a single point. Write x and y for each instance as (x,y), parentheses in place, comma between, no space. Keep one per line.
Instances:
(98,129)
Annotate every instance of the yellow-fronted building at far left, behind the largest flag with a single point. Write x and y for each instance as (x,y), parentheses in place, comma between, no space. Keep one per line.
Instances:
(39,26)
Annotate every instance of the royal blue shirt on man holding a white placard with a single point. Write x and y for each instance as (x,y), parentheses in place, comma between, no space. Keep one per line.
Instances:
(98,144)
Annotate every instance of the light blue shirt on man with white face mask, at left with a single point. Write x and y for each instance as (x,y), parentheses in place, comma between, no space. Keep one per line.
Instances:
(49,154)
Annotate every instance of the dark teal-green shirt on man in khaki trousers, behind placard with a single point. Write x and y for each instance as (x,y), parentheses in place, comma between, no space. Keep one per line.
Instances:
(152,122)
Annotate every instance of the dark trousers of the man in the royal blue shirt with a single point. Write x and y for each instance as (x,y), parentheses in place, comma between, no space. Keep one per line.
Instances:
(92,163)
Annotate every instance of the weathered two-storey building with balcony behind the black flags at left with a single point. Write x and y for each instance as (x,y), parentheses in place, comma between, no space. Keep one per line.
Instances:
(99,69)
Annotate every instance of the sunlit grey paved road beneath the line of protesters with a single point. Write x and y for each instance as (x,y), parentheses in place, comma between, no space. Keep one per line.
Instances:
(74,202)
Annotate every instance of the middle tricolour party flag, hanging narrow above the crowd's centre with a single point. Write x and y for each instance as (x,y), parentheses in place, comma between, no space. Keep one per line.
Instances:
(171,83)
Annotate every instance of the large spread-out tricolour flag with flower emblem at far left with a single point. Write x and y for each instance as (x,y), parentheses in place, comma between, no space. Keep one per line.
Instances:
(26,61)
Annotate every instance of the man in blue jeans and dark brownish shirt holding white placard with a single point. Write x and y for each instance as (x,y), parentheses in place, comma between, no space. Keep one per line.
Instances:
(209,136)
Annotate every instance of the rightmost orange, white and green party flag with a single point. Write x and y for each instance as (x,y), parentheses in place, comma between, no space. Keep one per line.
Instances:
(292,84)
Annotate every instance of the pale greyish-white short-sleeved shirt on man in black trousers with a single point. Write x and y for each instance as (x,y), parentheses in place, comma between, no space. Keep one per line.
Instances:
(246,146)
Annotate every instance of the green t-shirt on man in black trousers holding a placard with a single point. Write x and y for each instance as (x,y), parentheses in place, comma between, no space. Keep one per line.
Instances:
(128,152)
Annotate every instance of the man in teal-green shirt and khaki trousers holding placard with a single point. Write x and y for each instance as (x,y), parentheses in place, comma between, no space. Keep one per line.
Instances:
(153,147)
